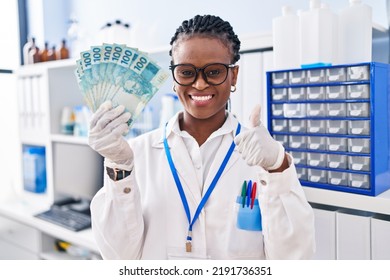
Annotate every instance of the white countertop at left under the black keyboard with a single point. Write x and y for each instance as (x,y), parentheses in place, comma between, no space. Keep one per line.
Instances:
(22,211)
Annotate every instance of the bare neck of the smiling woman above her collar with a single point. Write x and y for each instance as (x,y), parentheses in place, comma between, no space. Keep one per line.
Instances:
(201,129)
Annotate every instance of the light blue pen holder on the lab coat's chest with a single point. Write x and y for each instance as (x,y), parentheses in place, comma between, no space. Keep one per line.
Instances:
(248,216)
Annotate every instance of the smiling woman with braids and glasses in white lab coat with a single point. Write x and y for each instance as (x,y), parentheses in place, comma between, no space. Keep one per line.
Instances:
(203,186)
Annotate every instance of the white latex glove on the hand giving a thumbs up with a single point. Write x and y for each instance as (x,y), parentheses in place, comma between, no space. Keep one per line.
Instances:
(257,146)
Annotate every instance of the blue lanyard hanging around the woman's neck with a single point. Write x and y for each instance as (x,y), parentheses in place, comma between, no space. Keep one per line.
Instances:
(209,191)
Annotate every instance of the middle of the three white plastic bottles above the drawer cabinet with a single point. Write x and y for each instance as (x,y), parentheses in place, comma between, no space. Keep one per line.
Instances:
(316,27)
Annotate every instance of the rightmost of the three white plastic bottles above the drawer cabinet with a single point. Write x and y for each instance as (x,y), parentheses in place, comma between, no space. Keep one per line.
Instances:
(355,33)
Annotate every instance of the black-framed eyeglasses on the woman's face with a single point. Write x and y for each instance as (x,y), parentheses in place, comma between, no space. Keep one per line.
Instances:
(214,73)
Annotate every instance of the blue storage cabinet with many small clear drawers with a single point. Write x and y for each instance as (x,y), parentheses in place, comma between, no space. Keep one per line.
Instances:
(336,120)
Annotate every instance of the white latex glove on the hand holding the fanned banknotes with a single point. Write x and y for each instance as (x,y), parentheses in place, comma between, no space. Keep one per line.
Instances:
(107,127)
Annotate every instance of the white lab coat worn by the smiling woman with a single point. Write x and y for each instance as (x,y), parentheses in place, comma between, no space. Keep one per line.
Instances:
(149,222)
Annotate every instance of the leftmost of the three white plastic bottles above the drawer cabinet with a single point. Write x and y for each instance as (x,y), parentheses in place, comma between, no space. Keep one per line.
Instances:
(285,37)
